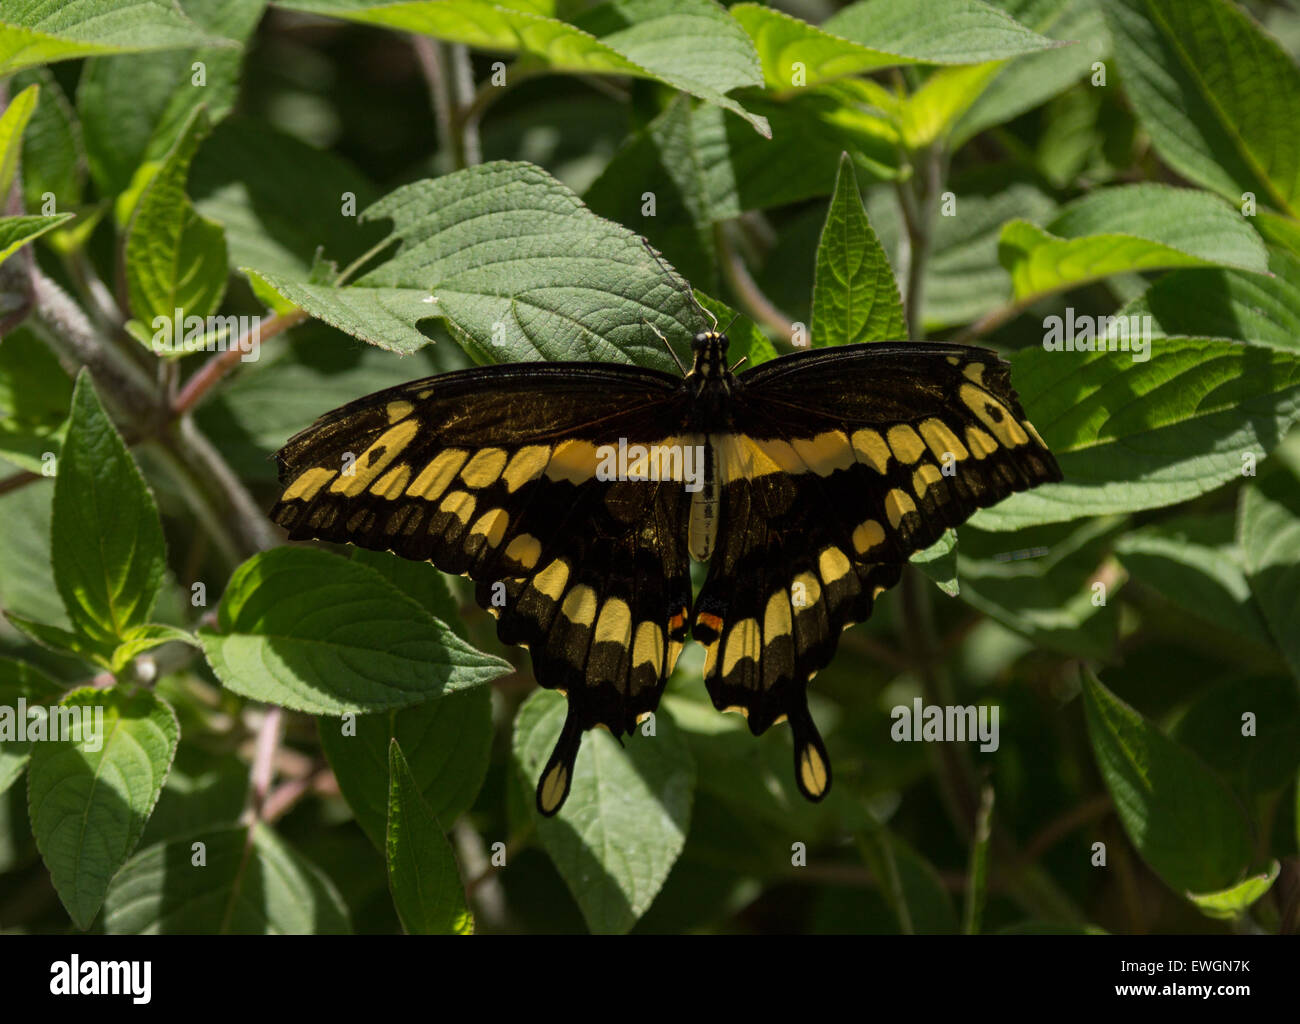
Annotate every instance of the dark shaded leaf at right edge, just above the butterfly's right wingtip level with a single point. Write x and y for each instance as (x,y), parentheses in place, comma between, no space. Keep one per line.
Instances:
(1228,305)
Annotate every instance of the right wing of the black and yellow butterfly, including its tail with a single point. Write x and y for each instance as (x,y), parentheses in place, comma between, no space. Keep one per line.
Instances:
(840,465)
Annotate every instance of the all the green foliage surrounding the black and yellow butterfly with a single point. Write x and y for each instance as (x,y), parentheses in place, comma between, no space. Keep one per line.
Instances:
(1107,193)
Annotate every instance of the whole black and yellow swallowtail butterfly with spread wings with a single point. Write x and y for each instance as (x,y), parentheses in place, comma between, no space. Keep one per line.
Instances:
(577,496)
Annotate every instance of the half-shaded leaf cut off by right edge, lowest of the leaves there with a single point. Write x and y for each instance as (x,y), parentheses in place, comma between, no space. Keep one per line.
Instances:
(1269,530)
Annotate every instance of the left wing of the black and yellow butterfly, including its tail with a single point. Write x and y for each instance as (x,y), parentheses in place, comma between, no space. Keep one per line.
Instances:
(496,474)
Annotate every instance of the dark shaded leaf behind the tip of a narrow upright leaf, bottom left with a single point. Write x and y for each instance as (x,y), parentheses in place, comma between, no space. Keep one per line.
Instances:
(449,745)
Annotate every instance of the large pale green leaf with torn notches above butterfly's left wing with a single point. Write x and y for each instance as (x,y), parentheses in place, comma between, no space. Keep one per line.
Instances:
(496,251)
